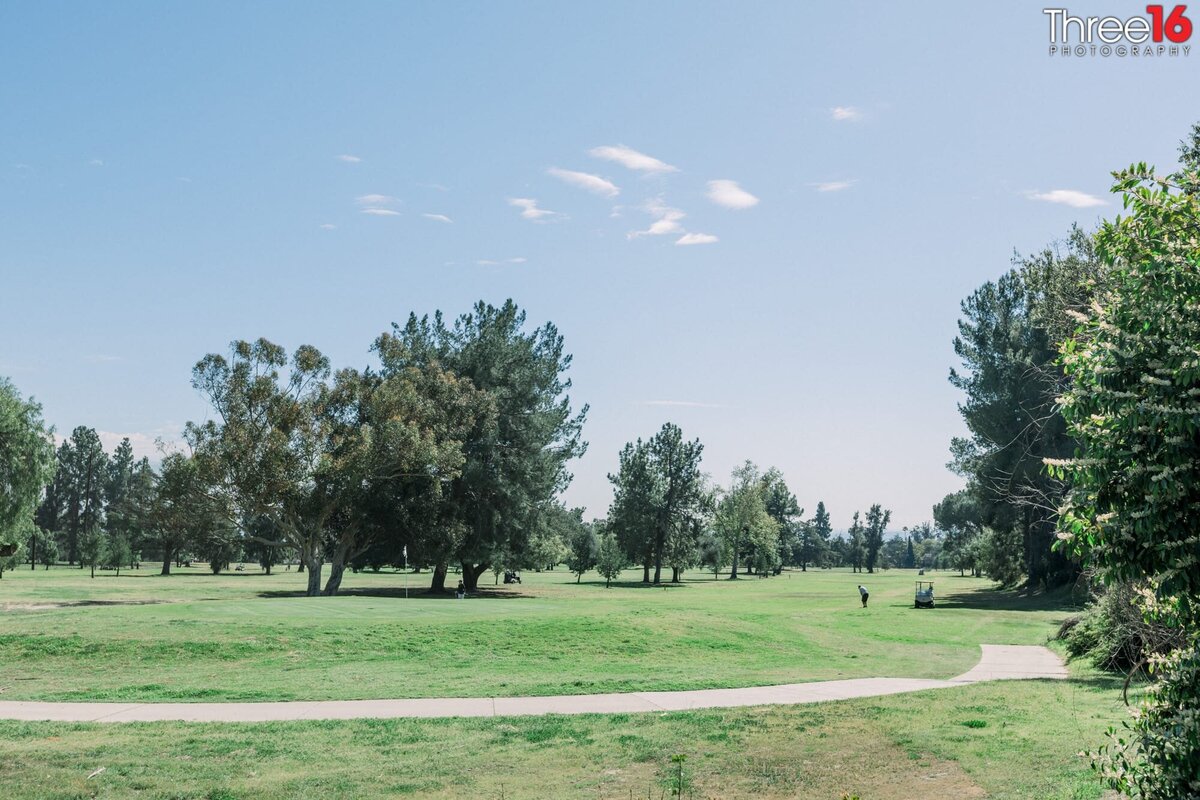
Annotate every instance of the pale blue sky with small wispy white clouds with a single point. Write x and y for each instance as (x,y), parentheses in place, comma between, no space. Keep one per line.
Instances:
(175,178)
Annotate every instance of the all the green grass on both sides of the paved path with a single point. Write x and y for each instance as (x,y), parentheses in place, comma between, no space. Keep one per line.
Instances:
(193,636)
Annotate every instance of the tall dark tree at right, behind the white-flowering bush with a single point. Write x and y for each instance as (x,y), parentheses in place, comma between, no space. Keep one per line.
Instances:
(1009,347)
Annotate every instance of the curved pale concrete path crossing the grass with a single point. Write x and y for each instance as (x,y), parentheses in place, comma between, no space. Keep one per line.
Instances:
(998,663)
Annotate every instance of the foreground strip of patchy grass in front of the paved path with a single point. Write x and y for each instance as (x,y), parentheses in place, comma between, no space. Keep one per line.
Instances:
(1015,742)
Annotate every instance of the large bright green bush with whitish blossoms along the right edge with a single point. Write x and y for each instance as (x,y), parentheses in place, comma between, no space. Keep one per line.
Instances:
(1133,509)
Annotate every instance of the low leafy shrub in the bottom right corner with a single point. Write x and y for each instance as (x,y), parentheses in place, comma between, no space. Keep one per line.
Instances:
(1157,755)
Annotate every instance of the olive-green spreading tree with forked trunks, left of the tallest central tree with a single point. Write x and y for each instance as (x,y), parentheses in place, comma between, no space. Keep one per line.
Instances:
(316,453)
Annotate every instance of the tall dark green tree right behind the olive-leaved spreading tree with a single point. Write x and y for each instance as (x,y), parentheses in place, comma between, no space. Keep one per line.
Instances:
(515,454)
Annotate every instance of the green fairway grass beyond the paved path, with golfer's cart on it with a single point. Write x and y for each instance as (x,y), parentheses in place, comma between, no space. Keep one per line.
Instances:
(194,636)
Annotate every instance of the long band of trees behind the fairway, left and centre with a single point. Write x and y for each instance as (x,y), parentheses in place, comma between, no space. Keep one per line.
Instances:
(451,454)
